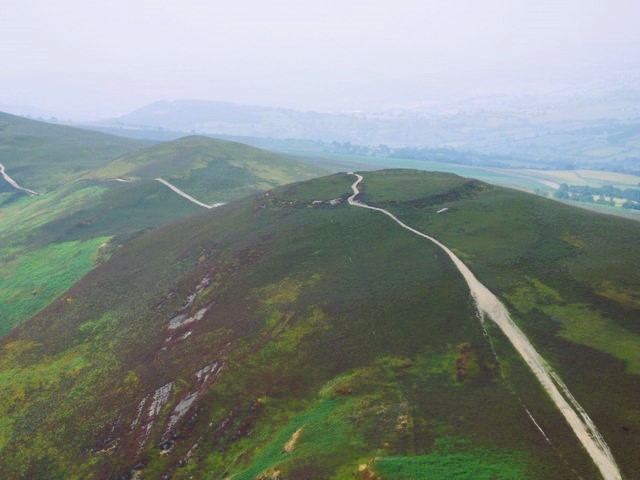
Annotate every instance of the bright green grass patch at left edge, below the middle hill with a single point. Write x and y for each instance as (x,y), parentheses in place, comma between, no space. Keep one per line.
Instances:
(33,280)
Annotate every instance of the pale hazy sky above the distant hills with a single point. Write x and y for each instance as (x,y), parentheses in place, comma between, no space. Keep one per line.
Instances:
(96,58)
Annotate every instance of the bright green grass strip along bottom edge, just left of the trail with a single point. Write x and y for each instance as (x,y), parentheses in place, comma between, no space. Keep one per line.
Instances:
(471,465)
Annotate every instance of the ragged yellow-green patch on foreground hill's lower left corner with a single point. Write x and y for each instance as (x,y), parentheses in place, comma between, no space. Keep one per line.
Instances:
(32,381)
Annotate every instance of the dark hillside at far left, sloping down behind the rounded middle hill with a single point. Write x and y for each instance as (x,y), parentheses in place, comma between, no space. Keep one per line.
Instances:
(42,156)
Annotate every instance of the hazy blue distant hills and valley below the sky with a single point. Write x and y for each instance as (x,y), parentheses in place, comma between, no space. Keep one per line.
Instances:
(573,132)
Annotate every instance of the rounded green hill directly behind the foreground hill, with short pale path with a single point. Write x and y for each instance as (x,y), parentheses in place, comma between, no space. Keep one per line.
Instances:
(49,242)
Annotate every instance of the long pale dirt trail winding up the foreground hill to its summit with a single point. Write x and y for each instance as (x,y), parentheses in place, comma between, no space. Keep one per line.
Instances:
(489,306)
